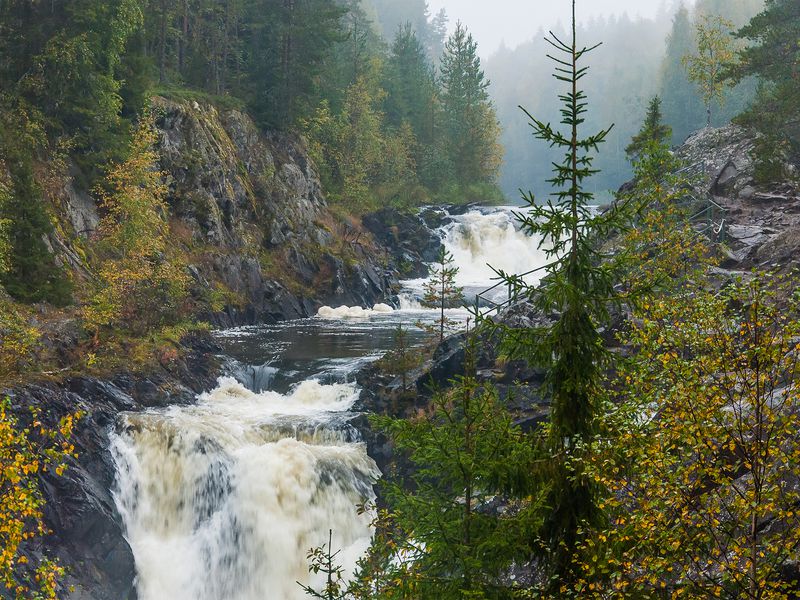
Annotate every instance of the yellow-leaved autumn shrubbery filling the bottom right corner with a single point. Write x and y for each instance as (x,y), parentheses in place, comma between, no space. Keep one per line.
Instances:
(699,456)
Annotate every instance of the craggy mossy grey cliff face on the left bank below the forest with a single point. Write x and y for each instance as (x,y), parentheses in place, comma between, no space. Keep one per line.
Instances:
(253,216)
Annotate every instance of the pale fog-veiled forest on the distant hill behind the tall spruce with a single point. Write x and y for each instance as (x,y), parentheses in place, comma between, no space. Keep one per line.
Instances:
(639,58)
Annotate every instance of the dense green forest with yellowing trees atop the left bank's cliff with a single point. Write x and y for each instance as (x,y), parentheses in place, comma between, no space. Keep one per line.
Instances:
(374,83)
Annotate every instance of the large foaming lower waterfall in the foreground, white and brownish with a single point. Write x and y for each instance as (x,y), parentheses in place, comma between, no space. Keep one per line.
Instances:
(222,500)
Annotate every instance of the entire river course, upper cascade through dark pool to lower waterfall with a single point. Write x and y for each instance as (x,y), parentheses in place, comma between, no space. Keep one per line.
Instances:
(222,500)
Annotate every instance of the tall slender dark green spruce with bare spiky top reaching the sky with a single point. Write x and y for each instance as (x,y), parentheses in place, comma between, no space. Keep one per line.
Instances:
(576,291)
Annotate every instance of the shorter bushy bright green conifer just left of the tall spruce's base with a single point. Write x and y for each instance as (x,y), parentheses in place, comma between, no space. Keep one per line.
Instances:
(467,452)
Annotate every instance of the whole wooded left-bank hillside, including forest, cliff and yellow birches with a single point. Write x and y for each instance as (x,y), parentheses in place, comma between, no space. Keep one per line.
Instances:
(78,120)
